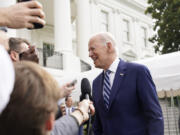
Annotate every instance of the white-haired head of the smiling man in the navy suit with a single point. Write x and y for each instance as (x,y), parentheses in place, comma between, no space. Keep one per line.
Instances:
(102,49)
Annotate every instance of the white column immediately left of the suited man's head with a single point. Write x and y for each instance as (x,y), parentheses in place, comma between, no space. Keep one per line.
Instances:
(83,28)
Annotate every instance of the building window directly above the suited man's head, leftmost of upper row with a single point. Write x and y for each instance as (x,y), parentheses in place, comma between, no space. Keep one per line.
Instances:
(104,21)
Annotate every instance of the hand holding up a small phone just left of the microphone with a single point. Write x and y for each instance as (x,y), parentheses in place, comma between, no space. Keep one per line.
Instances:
(66,90)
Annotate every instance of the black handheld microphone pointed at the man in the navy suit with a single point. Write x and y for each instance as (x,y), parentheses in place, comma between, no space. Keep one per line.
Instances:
(85,89)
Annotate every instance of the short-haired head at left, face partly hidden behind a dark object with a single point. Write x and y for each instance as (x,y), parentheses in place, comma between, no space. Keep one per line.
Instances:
(16,47)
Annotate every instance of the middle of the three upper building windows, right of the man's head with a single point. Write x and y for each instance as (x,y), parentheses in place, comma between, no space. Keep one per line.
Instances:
(126,30)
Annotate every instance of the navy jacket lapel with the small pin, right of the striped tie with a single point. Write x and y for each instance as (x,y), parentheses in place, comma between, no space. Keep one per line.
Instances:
(119,76)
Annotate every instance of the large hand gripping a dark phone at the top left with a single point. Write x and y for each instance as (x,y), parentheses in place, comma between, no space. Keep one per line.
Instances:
(22,15)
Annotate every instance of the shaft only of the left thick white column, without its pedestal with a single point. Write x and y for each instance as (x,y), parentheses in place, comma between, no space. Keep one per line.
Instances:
(62,26)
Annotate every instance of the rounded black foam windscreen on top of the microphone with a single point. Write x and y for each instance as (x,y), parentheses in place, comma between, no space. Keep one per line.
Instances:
(85,86)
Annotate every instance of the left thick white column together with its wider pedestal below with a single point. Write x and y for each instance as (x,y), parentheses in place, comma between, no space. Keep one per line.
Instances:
(63,35)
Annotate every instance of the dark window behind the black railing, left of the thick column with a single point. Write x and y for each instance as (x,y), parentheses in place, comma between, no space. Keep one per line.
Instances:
(48,50)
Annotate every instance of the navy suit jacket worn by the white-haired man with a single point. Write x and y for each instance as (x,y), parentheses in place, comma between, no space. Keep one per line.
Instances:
(134,107)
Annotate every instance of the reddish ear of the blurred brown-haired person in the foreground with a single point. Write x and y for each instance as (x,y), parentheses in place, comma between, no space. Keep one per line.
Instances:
(50,122)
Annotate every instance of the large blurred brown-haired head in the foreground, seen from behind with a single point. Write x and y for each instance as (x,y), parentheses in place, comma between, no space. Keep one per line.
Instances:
(33,102)
